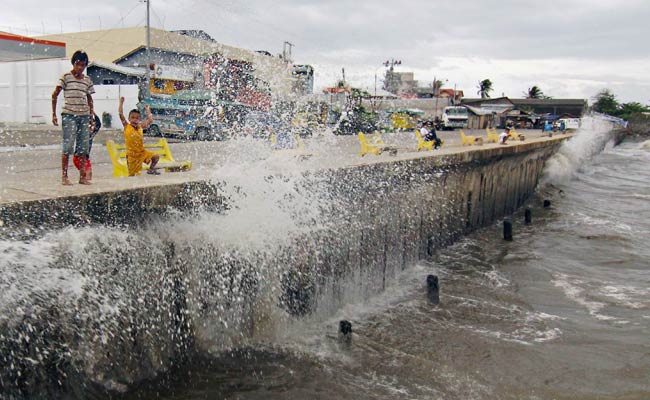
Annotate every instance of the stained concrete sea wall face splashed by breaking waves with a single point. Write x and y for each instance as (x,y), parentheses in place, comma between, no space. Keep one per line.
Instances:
(130,303)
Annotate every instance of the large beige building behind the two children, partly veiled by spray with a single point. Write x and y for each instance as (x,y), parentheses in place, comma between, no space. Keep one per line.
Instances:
(187,61)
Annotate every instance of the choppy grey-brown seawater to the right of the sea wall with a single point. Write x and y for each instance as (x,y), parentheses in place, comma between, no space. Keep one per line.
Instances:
(561,312)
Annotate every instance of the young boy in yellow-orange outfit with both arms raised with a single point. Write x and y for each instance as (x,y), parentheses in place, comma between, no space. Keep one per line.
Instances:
(136,154)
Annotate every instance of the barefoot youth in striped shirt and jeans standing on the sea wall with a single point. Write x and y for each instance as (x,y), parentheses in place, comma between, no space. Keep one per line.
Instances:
(75,116)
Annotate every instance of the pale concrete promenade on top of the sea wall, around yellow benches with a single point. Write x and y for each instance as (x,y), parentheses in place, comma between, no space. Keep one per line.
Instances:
(33,172)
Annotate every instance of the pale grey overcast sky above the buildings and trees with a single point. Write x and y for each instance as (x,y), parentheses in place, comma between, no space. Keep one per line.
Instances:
(569,48)
